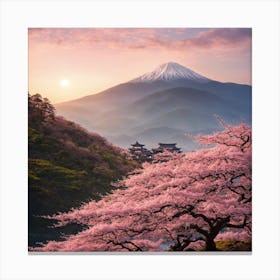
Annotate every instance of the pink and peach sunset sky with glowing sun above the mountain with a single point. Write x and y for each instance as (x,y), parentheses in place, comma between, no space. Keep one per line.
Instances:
(69,63)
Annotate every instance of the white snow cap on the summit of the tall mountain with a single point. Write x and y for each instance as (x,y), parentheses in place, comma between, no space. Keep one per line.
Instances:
(171,71)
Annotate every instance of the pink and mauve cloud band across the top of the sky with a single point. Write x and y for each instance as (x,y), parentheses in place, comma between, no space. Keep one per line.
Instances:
(177,39)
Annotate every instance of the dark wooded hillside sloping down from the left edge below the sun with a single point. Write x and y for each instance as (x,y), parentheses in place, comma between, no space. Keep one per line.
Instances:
(67,165)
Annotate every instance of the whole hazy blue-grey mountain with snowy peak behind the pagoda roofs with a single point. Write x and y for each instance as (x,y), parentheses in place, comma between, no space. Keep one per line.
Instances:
(161,106)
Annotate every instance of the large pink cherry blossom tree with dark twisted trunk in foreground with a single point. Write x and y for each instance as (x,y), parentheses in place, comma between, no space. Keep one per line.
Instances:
(184,203)
